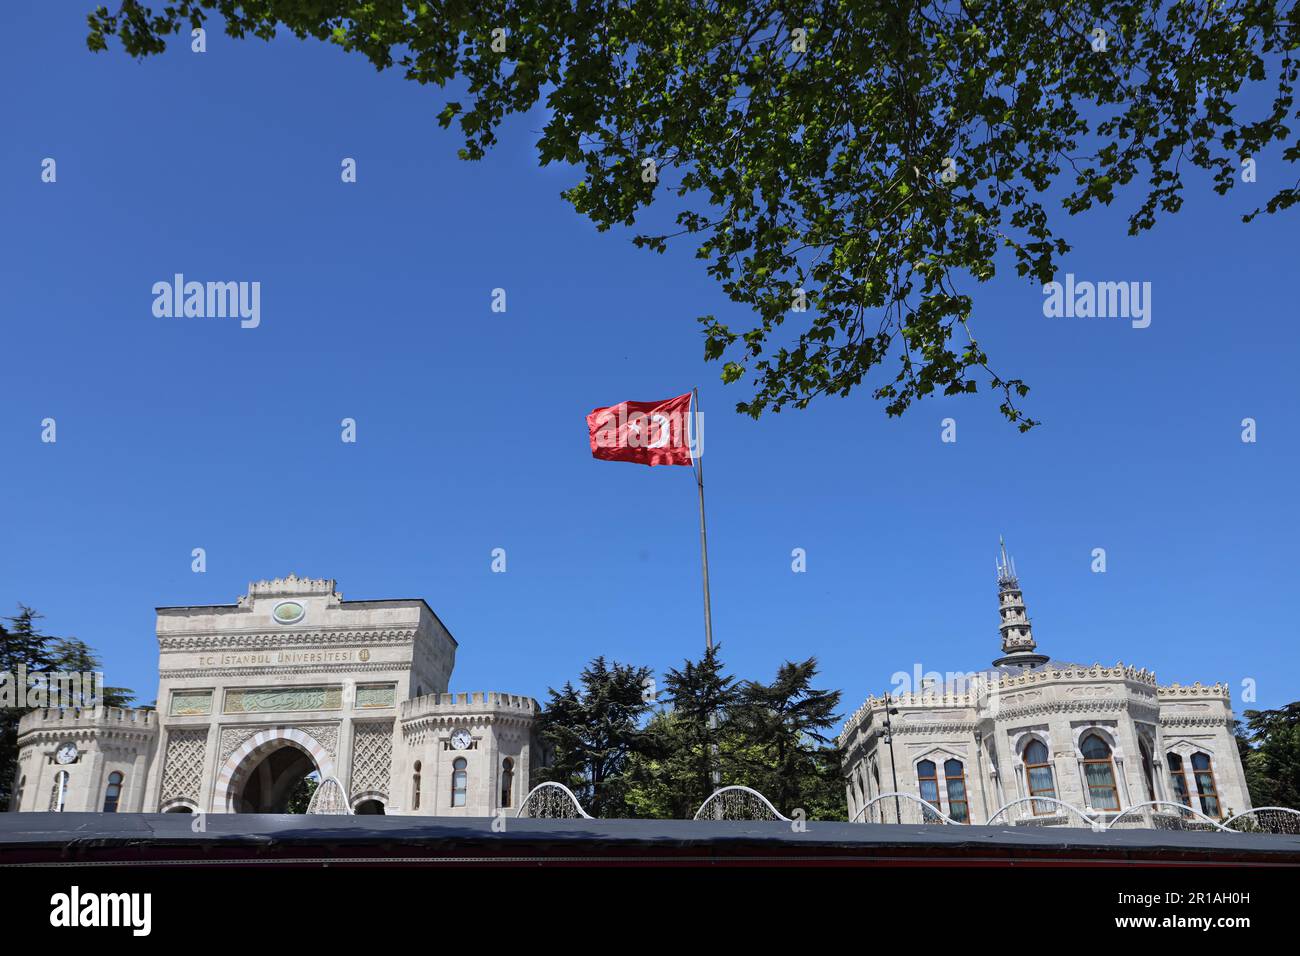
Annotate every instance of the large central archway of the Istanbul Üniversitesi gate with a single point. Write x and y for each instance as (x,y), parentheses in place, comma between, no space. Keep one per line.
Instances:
(263,775)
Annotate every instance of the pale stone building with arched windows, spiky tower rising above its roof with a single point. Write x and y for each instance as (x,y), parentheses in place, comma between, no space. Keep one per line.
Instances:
(1039,738)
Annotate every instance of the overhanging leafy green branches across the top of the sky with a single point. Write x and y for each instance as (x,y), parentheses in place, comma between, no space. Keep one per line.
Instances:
(804,145)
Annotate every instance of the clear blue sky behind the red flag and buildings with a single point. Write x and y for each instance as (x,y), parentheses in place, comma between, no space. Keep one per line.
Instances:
(181,434)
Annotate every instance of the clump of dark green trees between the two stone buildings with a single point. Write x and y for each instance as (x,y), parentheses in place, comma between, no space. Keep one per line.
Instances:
(622,758)
